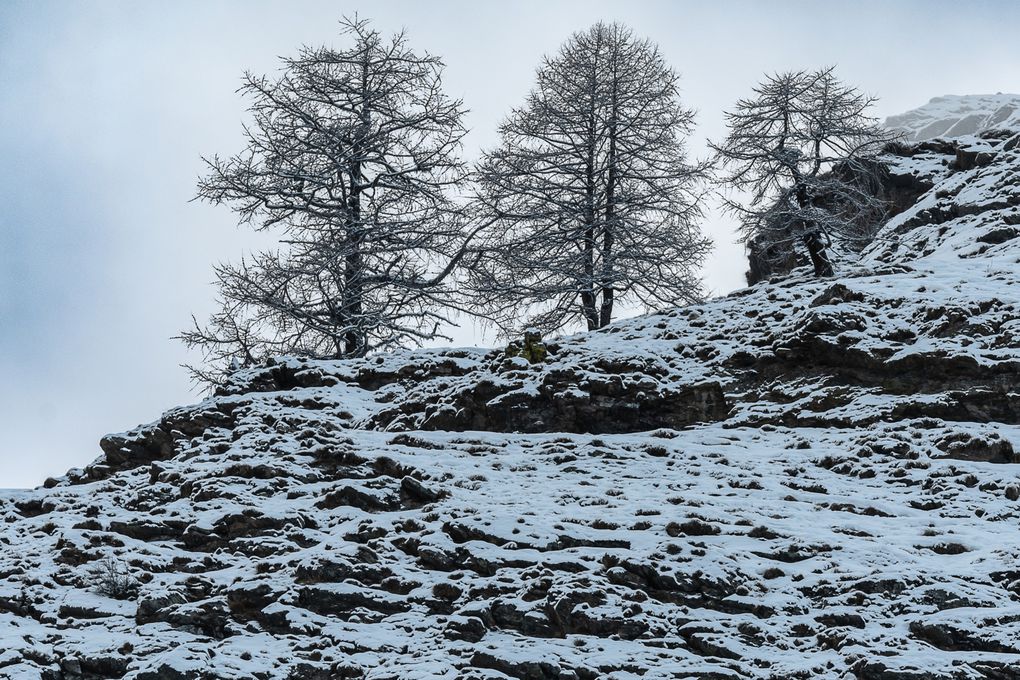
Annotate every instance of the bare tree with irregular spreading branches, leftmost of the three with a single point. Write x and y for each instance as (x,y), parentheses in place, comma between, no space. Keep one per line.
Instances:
(352,159)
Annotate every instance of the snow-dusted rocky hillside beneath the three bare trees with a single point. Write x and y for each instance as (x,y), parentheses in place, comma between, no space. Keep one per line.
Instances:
(804,480)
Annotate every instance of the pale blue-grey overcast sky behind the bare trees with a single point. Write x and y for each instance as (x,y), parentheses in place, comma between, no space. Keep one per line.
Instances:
(107,108)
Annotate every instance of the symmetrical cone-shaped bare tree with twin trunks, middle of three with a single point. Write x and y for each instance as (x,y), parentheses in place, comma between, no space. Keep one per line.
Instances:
(594,200)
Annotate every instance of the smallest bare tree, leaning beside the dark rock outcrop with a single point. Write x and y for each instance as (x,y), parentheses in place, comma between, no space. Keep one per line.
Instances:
(802,156)
